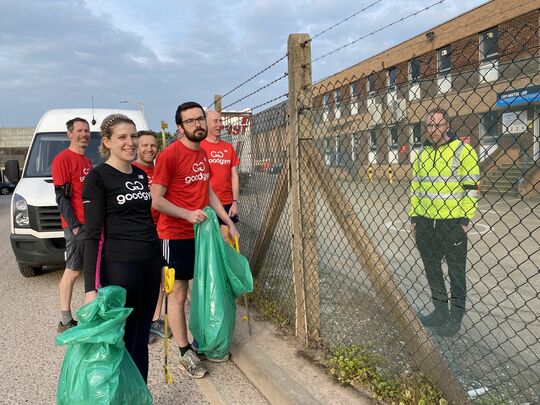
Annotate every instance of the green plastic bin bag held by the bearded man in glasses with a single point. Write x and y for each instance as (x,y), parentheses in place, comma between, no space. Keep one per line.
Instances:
(220,276)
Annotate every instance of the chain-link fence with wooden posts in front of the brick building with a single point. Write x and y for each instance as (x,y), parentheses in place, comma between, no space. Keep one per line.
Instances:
(329,186)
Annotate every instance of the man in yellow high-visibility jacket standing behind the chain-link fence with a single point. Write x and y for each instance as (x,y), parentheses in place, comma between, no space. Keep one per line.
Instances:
(444,193)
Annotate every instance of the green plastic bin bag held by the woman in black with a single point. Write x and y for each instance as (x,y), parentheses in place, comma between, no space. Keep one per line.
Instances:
(97,368)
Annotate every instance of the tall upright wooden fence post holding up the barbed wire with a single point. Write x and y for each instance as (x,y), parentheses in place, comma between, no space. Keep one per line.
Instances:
(303,213)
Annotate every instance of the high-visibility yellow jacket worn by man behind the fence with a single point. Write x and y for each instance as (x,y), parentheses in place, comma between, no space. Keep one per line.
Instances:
(445,182)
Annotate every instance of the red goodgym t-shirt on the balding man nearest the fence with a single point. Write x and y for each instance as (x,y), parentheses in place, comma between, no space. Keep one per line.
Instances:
(222,159)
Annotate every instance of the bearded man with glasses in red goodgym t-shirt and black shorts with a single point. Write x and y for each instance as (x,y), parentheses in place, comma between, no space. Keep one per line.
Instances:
(180,190)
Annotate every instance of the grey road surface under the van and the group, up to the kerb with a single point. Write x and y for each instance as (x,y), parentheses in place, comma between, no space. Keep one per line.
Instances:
(30,363)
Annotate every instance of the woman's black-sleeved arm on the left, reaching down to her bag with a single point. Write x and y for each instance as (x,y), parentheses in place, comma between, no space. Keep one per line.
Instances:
(94,201)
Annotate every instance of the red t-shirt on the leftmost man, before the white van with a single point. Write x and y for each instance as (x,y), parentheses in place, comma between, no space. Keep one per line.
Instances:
(70,167)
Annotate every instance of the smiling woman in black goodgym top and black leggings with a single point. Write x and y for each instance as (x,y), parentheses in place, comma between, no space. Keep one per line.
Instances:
(121,246)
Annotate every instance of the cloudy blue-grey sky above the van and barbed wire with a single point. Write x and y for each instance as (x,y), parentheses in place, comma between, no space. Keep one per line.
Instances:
(59,53)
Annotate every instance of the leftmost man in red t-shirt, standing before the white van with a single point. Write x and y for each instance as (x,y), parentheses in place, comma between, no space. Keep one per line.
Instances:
(69,169)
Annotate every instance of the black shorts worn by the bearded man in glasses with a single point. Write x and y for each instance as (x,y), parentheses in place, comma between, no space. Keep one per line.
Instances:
(180,254)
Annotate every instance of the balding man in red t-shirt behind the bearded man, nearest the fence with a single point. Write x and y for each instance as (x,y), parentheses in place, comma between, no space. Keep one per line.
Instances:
(224,164)
